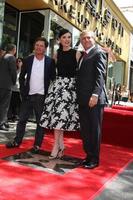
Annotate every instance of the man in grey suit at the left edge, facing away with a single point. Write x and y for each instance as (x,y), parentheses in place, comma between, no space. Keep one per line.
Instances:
(7,80)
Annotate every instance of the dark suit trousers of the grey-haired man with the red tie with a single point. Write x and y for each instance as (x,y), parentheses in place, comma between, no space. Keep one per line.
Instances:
(91,122)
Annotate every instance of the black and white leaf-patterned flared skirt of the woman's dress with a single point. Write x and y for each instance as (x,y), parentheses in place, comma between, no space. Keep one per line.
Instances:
(60,108)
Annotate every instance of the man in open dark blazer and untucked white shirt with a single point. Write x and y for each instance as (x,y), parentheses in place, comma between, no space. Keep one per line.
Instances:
(37,72)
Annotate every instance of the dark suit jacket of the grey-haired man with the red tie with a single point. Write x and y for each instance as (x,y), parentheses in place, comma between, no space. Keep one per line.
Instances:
(91,77)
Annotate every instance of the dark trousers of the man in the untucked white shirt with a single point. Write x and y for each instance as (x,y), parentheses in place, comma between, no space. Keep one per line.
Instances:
(31,103)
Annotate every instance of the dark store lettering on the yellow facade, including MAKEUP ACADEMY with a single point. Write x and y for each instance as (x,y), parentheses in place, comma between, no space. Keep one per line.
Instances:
(95,9)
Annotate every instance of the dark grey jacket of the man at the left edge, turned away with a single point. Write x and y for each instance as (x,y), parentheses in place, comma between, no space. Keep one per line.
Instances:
(8,72)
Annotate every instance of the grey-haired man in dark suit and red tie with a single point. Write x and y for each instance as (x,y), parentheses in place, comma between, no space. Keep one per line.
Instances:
(91,97)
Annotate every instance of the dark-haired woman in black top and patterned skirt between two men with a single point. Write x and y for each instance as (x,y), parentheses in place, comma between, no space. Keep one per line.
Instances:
(60,108)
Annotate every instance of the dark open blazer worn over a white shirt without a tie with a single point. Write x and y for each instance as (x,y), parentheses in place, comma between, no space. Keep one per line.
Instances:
(49,74)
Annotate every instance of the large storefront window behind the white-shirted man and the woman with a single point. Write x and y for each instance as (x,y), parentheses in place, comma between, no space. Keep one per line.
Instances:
(42,23)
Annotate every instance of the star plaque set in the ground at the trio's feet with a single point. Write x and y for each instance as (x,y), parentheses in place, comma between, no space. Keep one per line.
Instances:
(41,161)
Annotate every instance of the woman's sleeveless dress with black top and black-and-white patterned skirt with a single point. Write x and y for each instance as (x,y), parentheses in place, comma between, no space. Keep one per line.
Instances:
(60,107)
